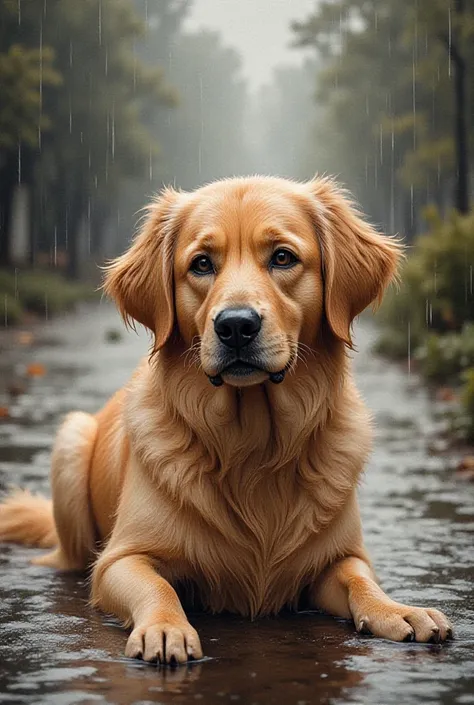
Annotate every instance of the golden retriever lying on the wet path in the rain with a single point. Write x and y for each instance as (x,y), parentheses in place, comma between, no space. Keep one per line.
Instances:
(227,469)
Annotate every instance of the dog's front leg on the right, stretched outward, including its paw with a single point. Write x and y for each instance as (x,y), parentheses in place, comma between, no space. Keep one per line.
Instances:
(348,589)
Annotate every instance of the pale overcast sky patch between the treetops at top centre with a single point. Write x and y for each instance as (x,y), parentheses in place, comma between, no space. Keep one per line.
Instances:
(259,29)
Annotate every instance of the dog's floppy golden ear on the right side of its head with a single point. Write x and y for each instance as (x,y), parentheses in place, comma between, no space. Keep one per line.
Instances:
(358,262)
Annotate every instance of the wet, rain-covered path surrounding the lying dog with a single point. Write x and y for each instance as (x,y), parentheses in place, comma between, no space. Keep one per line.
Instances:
(419,524)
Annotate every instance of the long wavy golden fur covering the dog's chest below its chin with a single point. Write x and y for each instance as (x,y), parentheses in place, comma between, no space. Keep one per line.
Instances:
(243,506)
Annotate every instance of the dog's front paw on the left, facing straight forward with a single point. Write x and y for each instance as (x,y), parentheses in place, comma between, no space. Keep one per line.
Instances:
(164,642)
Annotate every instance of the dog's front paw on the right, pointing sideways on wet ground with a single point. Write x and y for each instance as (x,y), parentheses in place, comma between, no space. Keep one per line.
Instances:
(398,622)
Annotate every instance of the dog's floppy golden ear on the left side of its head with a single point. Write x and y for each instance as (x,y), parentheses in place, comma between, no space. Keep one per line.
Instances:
(141,280)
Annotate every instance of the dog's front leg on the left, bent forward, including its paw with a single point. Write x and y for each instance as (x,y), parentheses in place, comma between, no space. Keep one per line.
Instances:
(131,589)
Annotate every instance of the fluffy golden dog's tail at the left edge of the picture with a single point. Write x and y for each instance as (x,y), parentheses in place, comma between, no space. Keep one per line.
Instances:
(28,519)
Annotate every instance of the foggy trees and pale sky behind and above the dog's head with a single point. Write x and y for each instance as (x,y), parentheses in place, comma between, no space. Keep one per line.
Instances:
(104,101)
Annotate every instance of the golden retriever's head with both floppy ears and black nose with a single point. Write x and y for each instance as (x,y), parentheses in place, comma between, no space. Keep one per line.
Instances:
(249,270)
